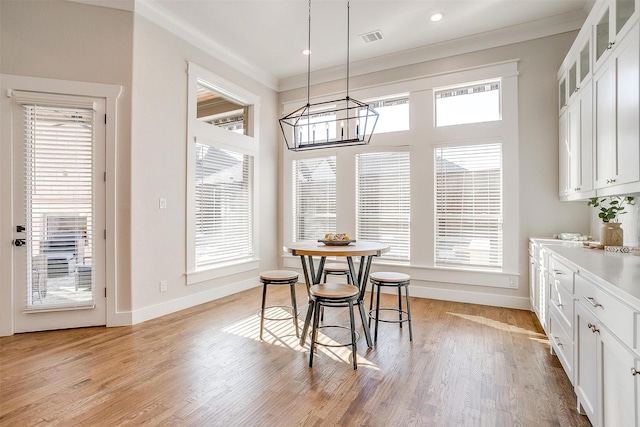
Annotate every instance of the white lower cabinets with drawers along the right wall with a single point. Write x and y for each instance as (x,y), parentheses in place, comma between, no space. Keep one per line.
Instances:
(595,333)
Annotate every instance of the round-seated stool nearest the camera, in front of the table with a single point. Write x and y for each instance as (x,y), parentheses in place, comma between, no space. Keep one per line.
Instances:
(332,295)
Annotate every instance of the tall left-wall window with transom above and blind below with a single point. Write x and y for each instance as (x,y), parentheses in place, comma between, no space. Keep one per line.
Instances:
(222,153)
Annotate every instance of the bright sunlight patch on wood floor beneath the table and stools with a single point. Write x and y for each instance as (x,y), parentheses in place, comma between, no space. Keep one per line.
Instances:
(283,334)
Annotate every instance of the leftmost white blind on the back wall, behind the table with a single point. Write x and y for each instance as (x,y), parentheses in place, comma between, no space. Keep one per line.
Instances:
(314,198)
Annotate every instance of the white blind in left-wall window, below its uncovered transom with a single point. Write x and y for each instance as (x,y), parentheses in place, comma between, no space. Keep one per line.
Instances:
(224,206)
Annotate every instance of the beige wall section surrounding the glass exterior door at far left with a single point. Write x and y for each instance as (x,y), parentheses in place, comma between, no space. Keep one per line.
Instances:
(76,42)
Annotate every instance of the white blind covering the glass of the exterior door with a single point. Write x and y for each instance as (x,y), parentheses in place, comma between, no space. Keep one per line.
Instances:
(58,189)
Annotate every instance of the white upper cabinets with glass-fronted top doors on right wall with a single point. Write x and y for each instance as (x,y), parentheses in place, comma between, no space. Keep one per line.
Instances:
(599,105)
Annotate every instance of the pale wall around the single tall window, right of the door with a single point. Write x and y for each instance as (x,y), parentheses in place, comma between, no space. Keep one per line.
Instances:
(158,158)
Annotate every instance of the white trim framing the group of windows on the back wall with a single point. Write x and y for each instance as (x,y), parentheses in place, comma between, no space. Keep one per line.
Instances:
(420,139)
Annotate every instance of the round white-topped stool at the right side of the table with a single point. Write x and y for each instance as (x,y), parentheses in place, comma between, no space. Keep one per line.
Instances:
(393,280)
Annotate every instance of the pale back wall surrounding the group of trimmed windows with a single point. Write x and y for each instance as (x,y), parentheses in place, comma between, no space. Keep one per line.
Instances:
(540,211)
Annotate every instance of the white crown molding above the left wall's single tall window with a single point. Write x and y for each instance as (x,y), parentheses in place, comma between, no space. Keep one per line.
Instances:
(182,29)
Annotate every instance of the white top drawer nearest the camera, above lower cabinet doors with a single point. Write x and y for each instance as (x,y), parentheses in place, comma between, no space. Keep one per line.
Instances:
(612,313)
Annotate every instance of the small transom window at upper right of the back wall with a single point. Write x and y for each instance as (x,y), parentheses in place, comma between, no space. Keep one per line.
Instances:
(468,104)
